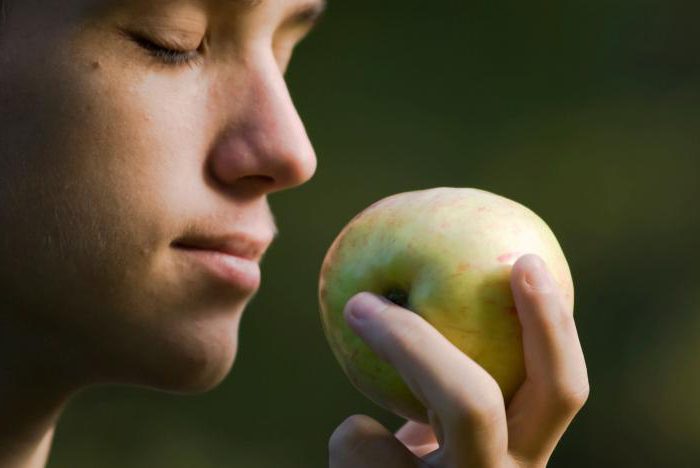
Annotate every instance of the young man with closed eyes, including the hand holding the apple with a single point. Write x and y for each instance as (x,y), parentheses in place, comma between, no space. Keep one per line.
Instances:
(137,138)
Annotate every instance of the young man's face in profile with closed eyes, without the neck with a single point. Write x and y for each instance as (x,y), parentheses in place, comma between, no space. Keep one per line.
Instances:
(128,129)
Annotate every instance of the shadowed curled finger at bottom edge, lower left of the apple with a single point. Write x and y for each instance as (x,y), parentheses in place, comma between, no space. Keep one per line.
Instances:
(360,441)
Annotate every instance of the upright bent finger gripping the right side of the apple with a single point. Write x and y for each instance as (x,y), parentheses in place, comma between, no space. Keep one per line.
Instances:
(556,385)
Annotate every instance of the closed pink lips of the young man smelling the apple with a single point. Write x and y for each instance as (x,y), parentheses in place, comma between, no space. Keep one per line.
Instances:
(232,260)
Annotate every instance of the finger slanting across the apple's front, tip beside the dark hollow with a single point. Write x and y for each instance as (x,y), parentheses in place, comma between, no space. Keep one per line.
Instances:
(465,401)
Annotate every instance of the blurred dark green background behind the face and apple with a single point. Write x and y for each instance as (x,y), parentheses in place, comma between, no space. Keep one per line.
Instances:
(588,112)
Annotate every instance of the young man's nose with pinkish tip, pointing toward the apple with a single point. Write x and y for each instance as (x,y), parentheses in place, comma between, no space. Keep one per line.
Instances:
(263,146)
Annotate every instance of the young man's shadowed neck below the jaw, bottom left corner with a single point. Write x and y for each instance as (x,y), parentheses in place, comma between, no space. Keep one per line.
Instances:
(33,393)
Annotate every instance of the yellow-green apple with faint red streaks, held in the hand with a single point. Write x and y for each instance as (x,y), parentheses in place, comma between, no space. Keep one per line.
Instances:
(448,253)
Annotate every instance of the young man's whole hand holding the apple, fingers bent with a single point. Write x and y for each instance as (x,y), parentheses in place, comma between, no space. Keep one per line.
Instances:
(469,423)
